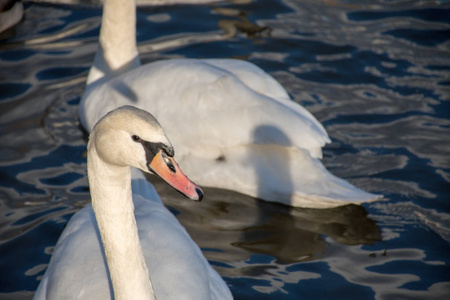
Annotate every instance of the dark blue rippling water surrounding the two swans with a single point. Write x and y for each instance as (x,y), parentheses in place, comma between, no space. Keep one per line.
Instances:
(376,74)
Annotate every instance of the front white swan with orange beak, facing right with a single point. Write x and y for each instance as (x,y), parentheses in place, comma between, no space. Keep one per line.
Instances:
(176,267)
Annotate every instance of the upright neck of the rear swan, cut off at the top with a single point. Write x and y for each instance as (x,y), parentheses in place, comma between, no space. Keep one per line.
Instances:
(117,50)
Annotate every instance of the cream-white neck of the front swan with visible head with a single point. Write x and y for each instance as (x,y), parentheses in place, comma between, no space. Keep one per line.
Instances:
(112,202)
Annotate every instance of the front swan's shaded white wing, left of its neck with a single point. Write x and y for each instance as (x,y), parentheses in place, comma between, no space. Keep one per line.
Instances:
(77,266)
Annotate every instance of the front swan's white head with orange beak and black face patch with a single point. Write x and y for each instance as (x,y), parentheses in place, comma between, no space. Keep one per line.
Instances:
(128,136)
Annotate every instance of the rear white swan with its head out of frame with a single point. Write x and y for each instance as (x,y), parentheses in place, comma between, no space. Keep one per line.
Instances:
(240,129)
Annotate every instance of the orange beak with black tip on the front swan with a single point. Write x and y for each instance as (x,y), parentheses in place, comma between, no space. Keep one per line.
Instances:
(167,168)
